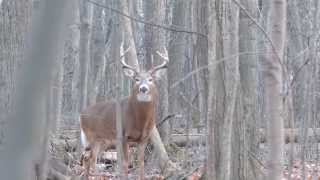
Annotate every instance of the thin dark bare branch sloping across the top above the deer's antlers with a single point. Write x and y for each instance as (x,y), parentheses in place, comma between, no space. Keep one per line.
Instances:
(146,22)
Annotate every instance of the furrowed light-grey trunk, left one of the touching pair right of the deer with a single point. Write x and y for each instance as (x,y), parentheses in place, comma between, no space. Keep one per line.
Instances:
(225,85)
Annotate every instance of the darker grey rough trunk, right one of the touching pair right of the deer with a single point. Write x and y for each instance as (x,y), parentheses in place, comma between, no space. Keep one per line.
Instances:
(247,123)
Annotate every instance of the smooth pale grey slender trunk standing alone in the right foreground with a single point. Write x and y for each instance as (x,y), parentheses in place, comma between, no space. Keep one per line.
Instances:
(273,87)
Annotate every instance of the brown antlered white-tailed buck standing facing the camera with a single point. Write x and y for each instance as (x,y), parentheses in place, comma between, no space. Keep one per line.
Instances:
(98,122)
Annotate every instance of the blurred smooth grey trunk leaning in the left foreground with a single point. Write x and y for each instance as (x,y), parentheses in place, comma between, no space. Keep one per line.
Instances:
(26,125)
